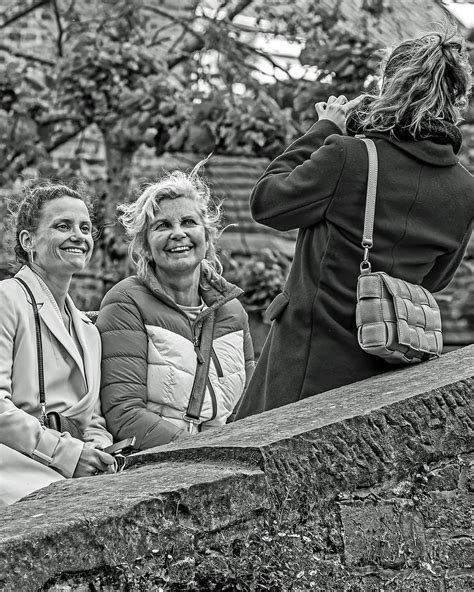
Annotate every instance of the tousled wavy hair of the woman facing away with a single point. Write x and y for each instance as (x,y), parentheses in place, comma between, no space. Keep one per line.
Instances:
(424,81)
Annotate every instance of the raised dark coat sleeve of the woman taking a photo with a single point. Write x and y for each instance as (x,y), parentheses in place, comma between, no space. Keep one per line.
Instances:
(297,187)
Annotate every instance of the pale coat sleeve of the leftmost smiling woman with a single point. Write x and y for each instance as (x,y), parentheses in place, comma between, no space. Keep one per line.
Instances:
(18,429)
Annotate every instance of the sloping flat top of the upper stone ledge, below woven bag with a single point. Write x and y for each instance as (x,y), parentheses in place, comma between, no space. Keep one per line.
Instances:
(331,407)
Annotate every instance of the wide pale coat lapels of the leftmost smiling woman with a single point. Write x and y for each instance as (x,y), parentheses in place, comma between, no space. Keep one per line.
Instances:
(50,315)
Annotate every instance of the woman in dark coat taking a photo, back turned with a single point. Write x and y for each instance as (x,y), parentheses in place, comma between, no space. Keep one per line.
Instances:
(423,220)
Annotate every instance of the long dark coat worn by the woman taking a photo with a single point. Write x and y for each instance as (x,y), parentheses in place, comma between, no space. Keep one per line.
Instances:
(423,219)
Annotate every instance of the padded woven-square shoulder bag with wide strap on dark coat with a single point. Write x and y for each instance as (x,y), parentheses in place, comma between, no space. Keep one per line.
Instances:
(396,320)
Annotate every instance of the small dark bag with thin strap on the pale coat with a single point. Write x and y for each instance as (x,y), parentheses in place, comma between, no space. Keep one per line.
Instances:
(53,420)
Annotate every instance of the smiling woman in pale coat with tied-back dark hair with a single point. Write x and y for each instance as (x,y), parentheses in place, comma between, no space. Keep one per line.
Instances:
(41,327)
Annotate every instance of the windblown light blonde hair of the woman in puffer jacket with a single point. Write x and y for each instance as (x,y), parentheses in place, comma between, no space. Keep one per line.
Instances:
(136,216)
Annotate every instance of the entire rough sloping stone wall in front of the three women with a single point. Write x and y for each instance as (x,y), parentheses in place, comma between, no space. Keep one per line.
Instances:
(366,487)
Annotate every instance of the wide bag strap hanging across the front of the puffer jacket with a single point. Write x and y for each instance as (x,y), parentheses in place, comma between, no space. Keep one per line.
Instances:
(203,351)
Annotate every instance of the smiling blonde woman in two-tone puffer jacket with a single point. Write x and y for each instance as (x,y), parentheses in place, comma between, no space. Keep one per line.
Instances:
(162,327)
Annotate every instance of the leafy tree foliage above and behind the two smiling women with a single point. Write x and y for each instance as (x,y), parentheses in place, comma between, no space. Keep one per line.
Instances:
(144,75)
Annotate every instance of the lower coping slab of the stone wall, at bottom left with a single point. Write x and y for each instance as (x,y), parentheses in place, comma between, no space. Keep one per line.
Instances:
(94,522)
